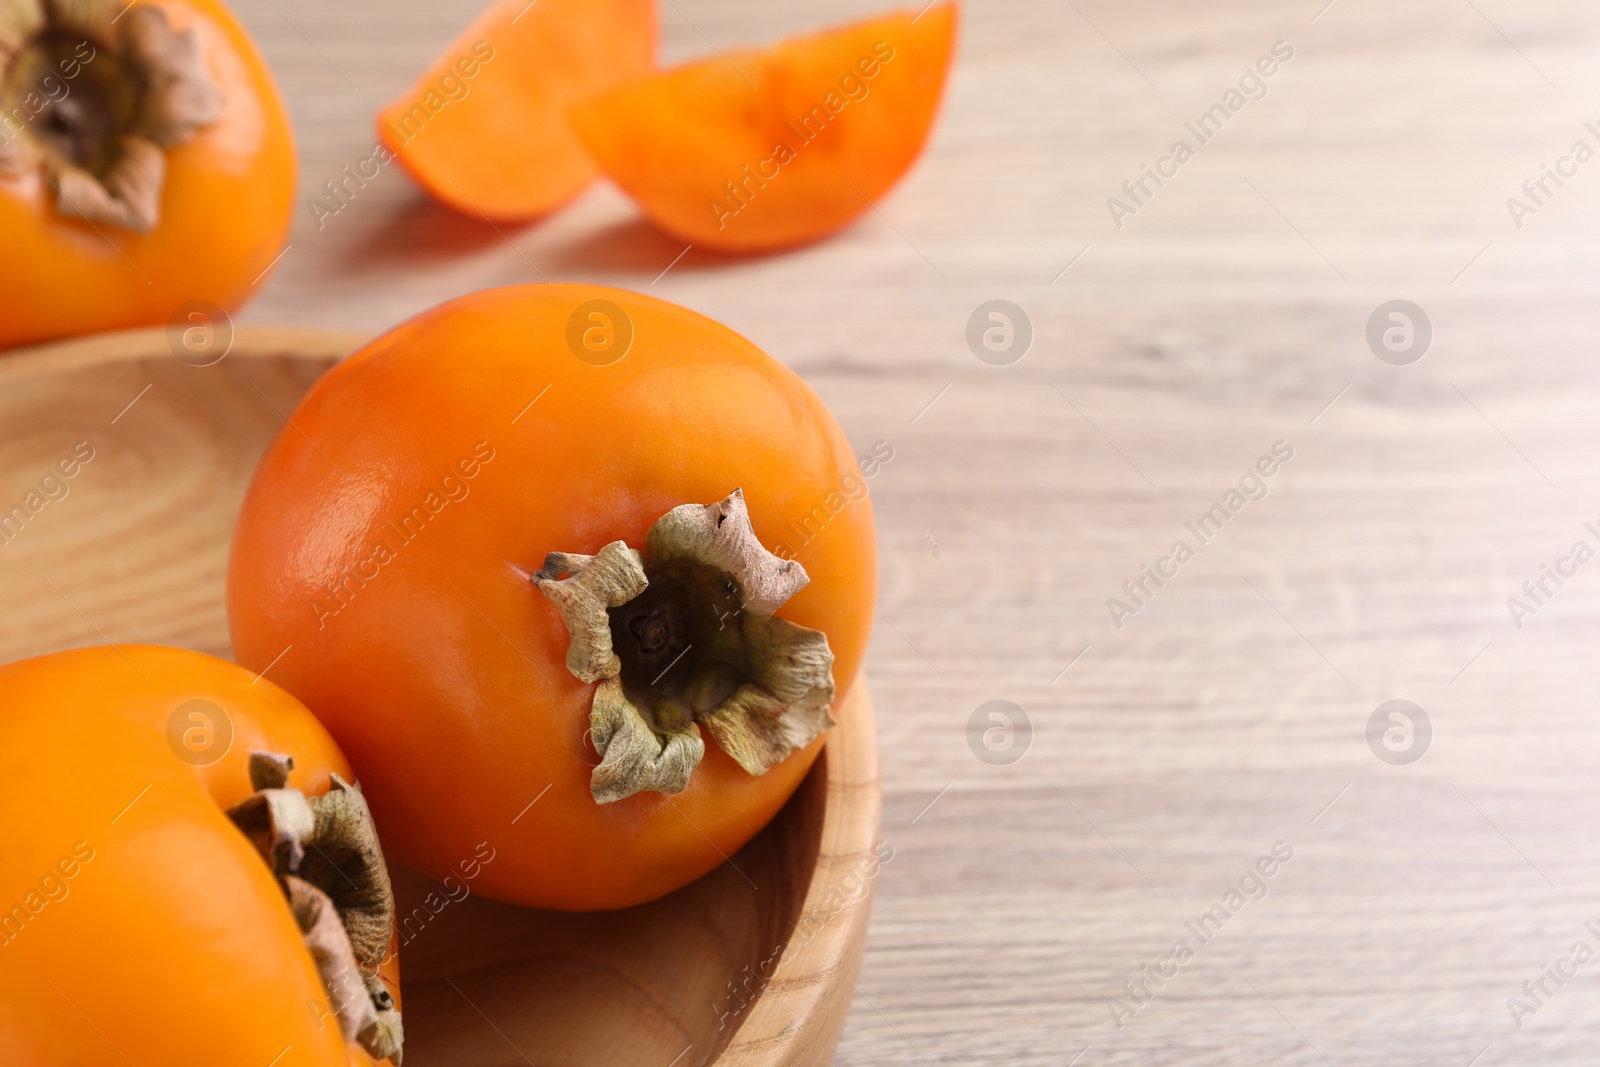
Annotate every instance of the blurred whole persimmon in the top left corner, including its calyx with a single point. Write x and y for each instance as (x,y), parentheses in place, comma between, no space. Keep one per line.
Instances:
(145,166)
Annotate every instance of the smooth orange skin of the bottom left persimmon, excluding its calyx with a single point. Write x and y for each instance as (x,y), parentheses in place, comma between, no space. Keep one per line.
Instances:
(172,945)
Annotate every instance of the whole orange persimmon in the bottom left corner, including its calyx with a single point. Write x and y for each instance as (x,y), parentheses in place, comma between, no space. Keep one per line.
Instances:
(190,876)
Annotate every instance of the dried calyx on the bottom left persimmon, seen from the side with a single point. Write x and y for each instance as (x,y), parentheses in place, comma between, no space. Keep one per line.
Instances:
(327,858)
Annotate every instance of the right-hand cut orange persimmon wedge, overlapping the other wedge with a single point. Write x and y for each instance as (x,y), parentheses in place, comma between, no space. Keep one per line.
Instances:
(764,150)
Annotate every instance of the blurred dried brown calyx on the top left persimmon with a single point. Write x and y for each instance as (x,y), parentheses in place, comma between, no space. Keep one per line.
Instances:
(92,97)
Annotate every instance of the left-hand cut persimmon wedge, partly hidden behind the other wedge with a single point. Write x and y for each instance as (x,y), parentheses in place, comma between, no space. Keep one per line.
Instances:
(486,129)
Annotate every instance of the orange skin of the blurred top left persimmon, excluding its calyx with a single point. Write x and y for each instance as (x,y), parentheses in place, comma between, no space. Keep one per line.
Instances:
(225,212)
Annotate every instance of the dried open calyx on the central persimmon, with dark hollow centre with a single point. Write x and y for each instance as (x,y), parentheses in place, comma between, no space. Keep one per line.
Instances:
(686,634)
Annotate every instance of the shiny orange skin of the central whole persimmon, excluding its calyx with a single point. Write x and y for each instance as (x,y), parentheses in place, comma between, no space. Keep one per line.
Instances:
(442,674)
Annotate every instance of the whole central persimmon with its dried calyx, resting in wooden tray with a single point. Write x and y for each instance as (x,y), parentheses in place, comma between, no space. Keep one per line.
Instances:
(540,561)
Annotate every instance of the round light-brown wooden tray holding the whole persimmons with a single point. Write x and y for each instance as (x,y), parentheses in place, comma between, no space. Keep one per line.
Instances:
(753,965)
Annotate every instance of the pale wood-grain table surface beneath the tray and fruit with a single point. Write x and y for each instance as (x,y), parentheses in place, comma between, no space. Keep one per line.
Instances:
(1228,314)
